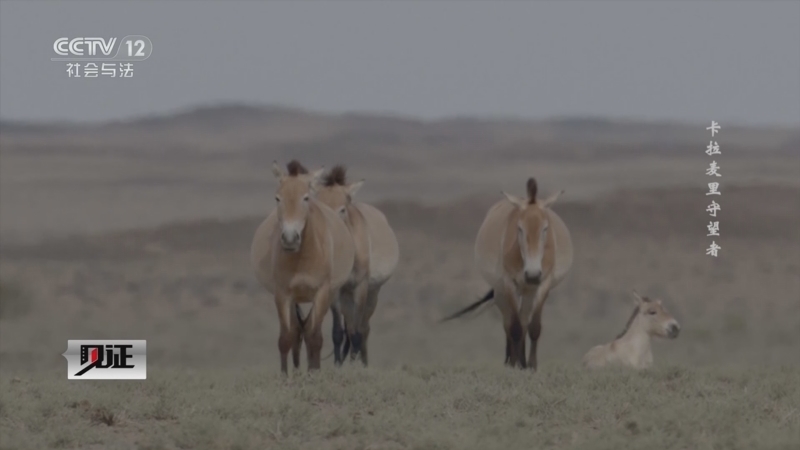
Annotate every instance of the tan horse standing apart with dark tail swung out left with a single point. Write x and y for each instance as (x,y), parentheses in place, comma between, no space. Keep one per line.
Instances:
(523,250)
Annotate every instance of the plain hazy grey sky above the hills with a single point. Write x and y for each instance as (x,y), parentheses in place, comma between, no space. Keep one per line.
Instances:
(683,60)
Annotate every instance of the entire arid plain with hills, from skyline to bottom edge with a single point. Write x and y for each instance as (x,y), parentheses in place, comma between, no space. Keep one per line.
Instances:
(141,230)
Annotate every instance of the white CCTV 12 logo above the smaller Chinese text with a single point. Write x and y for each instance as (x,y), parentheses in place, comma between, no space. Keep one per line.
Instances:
(129,48)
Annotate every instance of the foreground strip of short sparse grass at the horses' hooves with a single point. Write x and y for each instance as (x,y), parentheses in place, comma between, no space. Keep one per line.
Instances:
(443,407)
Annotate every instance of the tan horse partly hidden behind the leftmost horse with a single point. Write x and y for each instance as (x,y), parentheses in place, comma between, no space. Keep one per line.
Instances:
(376,257)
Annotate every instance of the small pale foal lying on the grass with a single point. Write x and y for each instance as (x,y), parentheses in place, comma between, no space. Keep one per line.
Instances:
(632,347)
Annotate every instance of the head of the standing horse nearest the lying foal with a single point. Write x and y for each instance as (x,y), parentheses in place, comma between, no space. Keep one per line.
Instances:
(532,228)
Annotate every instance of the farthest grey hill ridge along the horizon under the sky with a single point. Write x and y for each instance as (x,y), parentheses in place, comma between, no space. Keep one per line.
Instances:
(283,130)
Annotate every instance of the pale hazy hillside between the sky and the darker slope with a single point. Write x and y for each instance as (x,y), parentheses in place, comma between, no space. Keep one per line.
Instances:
(213,162)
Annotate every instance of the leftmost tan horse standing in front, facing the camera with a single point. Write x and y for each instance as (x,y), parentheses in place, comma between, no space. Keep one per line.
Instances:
(302,252)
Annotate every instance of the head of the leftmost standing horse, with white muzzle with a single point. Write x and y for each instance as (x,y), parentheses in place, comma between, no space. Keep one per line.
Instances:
(293,196)
